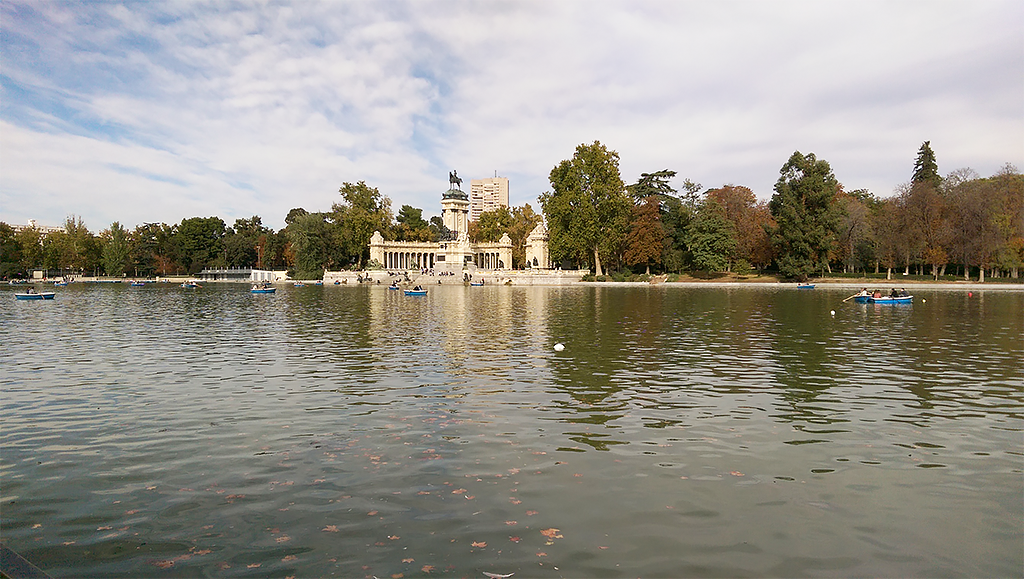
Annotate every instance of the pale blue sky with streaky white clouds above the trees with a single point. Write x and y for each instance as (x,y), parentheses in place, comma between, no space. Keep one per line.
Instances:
(155,112)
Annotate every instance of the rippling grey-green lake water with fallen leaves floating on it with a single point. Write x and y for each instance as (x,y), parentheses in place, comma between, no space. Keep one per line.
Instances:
(354,432)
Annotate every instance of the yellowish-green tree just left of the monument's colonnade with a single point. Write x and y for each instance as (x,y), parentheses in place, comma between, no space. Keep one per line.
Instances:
(364,212)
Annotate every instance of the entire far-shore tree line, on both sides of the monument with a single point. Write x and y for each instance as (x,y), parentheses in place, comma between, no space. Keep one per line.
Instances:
(961,225)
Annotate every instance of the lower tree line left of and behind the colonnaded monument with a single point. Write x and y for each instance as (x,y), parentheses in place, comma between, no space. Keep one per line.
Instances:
(311,242)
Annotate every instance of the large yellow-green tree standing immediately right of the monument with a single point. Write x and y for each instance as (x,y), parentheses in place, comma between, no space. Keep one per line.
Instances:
(587,210)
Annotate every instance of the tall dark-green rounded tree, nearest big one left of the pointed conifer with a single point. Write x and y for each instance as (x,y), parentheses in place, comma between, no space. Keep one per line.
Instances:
(806,215)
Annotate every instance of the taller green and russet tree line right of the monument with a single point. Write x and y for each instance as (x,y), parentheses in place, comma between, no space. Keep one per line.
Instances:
(958,225)
